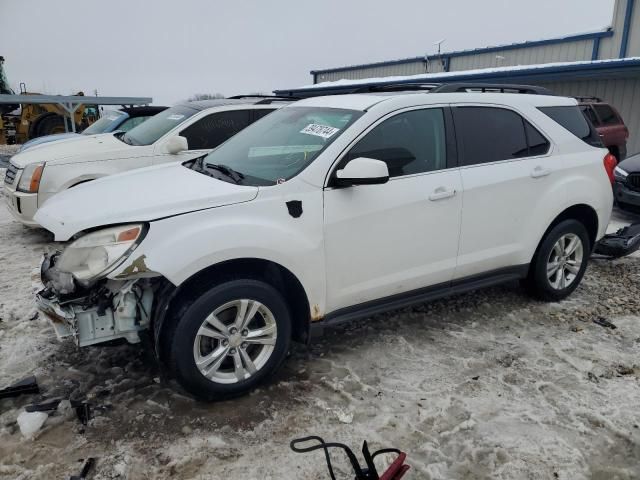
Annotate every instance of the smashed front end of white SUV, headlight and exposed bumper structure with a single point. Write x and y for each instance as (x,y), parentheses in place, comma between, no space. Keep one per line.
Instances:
(83,303)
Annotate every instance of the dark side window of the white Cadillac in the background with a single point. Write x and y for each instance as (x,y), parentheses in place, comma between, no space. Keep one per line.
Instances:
(212,130)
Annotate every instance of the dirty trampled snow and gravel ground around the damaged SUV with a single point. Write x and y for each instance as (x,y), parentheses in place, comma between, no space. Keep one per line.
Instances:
(489,385)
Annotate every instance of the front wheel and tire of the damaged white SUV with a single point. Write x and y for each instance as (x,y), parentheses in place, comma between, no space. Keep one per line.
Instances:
(218,349)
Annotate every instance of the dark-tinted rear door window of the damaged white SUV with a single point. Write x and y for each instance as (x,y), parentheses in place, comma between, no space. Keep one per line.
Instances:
(490,134)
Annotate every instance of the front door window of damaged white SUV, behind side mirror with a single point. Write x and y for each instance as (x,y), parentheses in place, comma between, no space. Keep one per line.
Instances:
(409,143)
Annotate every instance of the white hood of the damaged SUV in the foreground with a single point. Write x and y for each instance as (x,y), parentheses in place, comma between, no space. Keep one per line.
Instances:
(140,195)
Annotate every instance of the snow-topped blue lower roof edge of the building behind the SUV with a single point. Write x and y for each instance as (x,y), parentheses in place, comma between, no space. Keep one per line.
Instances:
(549,73)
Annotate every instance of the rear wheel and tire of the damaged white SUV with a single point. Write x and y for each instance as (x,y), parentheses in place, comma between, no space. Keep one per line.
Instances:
(559,284)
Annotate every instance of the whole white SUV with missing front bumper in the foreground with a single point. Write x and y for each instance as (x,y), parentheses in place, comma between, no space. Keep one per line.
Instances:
(329,209)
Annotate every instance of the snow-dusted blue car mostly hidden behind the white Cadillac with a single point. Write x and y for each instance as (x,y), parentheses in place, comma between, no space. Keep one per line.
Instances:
(122,120)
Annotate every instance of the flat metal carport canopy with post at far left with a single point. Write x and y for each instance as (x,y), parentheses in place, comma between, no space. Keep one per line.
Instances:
(71,103)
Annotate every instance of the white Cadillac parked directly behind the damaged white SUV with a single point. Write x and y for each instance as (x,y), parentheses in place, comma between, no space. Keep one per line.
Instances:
(182,132)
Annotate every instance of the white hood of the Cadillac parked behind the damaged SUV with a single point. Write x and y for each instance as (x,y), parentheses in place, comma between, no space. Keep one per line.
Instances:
(71,149)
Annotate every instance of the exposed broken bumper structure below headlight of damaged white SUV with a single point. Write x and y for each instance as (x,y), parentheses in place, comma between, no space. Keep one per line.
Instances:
(109,310)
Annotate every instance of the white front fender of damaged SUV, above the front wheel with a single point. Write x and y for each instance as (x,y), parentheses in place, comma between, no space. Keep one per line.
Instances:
(179,247)
